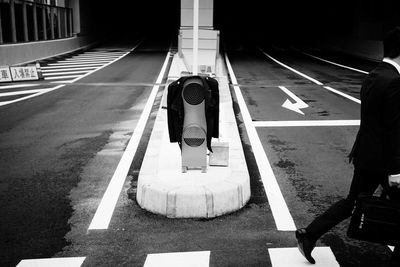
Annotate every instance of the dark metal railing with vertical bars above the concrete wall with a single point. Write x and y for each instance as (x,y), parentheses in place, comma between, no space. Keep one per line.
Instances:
(26,21)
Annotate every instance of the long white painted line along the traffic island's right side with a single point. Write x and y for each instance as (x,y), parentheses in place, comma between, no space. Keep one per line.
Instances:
(280,211)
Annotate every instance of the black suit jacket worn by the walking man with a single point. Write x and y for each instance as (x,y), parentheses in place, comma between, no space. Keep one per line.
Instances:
(377,146)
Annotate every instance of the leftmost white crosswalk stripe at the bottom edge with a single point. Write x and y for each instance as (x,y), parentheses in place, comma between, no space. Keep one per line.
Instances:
(51,262)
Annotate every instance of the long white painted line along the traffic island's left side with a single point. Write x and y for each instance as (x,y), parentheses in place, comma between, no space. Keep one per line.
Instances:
(106,207)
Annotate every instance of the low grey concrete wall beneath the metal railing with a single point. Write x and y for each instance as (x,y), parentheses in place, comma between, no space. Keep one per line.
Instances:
(21,53)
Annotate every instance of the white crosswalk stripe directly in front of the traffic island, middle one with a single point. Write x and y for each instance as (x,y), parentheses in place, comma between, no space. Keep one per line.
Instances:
(179,259)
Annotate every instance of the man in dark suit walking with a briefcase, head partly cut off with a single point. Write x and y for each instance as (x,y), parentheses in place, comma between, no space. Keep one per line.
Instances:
(376,151)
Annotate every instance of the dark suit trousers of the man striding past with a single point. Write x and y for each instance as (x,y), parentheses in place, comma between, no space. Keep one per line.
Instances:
(365,182)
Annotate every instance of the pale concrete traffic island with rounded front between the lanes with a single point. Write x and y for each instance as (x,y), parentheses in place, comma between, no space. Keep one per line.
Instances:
(164,189)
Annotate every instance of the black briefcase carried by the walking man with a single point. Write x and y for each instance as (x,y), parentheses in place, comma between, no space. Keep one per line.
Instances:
(375,219)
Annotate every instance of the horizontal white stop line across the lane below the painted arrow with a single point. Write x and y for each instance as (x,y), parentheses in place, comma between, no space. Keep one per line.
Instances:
(306,123)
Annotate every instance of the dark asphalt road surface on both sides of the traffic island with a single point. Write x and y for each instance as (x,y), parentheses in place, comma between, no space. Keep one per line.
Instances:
(59,150)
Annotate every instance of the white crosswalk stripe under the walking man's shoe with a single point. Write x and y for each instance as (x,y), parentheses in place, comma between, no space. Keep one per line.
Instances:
(291,257)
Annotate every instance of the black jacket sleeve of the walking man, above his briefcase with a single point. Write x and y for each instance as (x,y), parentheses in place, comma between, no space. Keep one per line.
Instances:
(391,118)
